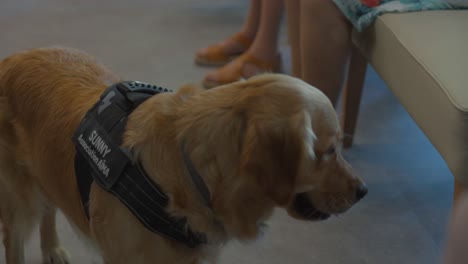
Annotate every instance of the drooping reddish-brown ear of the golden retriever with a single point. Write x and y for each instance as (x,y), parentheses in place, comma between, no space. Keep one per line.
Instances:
(272,152)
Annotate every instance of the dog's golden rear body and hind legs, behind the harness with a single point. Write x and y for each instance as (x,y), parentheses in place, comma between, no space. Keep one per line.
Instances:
(44,93)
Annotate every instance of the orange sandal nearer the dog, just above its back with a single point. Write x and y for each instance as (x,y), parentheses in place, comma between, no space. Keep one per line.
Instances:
(235,71)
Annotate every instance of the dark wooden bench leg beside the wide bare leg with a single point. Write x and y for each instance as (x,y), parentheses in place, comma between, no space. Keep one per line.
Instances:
(352,94)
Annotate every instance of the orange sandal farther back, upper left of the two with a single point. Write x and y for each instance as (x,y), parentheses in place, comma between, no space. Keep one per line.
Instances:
(216,55)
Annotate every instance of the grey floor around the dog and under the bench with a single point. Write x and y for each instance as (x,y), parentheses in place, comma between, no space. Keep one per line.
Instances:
(403,218)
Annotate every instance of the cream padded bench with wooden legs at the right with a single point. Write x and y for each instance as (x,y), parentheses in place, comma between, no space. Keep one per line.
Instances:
(423,59)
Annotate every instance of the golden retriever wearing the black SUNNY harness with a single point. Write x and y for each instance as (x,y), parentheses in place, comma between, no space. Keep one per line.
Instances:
(269,142)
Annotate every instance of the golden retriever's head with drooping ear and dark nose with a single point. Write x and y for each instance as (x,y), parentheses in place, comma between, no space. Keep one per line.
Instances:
(292,146)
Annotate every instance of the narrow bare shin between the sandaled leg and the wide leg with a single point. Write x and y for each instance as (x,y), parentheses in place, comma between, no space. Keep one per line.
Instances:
(293,15)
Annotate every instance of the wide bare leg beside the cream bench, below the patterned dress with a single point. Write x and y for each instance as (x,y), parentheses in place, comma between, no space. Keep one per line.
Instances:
(325,46)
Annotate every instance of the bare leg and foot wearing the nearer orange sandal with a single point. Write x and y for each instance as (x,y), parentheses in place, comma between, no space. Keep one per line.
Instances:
(264,49)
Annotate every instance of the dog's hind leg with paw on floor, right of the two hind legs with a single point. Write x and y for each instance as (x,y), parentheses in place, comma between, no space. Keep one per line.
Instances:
(52,252)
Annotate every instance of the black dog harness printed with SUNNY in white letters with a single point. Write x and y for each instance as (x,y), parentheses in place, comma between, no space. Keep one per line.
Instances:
(100,158)
